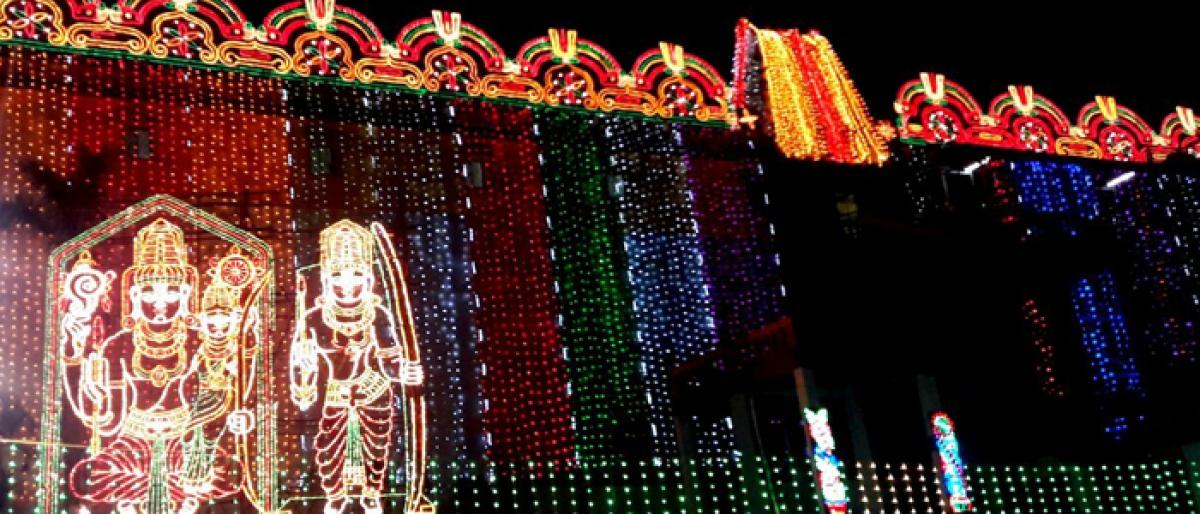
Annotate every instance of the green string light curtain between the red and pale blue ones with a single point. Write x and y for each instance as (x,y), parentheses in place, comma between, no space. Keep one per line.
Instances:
(592,279)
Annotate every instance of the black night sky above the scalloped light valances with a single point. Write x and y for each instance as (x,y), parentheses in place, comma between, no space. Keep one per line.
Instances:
(1067,53)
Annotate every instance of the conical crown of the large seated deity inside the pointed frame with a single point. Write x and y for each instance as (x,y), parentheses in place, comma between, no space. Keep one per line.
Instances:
(160,256)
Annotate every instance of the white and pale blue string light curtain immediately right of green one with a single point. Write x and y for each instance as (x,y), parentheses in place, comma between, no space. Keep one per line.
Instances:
(673,302)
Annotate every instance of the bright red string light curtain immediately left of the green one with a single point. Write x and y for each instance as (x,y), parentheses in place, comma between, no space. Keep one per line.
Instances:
(520,348)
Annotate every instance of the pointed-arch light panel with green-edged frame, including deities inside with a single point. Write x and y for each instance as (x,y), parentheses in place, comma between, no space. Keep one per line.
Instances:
(161,366)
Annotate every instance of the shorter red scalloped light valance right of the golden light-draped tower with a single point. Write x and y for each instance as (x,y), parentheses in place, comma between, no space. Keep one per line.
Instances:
(934,110)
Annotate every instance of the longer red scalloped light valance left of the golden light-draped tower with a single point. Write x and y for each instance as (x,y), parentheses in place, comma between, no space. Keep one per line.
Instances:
(439,53)
